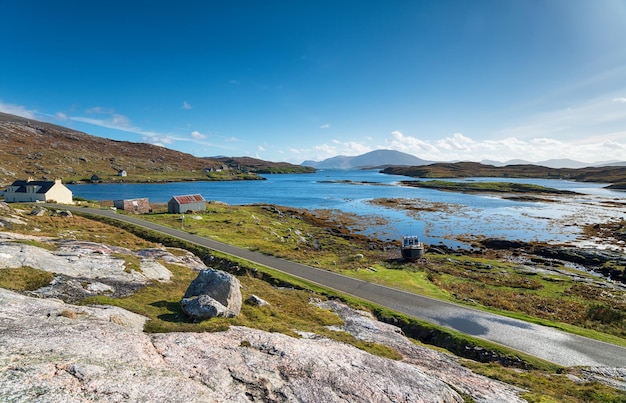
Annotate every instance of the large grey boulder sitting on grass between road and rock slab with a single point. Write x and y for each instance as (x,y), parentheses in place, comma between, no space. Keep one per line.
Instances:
(213,293)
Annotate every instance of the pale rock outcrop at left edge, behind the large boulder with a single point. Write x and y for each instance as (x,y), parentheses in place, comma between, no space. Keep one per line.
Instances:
(84,269)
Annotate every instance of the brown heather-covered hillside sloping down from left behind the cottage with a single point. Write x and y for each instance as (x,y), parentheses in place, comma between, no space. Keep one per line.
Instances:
(46,151)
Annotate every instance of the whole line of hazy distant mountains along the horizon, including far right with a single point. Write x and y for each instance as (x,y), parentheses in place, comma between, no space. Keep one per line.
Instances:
(387,158)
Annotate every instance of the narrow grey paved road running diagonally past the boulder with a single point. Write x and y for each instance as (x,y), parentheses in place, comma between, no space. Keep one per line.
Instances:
(540,341)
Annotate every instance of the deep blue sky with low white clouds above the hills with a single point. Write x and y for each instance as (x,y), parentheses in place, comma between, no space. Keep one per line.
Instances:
(296,80)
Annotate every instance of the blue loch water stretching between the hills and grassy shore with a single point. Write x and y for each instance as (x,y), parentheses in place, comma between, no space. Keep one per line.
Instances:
(467,215)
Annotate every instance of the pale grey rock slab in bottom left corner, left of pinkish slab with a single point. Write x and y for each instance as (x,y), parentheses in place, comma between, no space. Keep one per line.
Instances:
(55,352)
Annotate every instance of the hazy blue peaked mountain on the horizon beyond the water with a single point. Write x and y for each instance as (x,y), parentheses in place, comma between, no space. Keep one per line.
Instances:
(373,159)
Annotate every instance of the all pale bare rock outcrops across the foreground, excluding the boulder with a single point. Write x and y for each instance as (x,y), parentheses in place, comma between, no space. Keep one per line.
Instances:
(53,351)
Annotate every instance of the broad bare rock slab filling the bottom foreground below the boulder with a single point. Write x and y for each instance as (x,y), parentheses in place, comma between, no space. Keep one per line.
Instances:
(55,352)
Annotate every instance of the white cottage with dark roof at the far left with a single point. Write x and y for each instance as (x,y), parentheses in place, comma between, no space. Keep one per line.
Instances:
(33,191)
